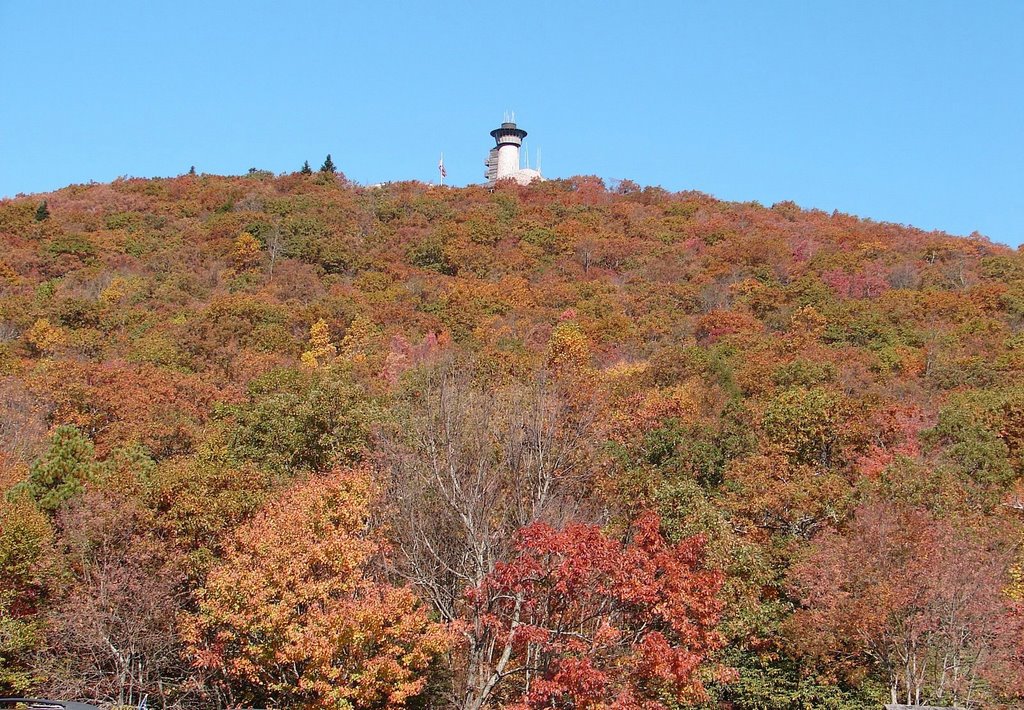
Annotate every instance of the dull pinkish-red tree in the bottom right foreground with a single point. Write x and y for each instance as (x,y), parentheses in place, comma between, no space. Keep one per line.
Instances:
(907,595)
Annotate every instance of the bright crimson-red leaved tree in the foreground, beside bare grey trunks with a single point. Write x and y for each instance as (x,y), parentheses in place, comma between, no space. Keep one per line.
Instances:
(580,619)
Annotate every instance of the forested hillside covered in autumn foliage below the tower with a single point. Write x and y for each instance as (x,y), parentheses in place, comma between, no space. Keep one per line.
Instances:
(290,442)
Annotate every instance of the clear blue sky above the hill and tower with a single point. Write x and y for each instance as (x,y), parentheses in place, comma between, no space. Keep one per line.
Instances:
(909,111)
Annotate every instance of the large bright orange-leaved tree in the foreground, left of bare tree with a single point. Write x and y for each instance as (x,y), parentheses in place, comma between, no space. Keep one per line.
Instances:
(292,616)
